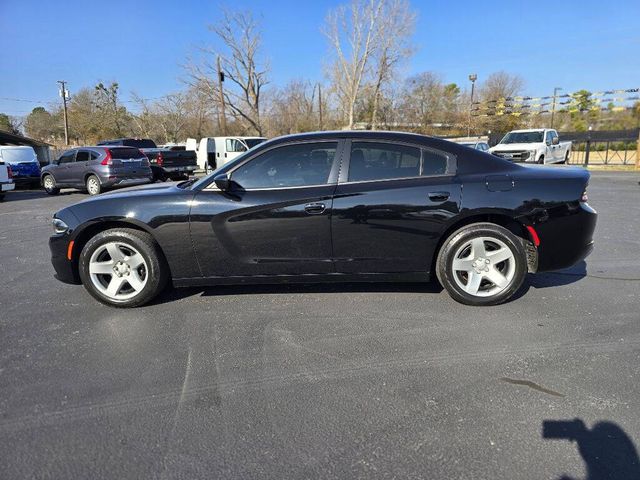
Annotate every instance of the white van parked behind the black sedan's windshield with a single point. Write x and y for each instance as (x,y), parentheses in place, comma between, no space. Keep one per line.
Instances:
(214,152)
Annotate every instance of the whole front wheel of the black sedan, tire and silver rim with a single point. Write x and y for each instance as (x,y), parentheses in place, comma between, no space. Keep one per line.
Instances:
(123,267)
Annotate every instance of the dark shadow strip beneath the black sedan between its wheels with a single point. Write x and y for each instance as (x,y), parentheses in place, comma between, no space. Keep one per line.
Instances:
(172,294)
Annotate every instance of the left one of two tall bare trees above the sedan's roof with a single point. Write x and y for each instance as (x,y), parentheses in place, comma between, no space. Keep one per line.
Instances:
(352,32)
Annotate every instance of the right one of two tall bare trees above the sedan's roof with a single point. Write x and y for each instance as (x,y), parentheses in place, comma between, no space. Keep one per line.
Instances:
(392,45)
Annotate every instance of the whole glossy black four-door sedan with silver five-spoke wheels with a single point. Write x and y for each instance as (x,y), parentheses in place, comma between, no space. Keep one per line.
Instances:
(338,206)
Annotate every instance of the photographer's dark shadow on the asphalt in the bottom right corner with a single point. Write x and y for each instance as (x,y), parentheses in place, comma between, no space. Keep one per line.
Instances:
(608,452)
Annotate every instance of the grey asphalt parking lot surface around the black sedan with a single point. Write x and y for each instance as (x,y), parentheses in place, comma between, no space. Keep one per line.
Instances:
(337,381)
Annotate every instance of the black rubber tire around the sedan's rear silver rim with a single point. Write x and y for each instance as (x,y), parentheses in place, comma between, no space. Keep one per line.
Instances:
(457,240)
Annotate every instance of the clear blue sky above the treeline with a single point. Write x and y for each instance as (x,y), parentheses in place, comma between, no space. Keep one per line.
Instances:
(142,44)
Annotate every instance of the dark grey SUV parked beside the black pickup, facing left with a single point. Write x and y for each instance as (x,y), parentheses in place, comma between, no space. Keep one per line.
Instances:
(96,169)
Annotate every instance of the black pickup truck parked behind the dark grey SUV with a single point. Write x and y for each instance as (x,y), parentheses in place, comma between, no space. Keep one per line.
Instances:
(166,164)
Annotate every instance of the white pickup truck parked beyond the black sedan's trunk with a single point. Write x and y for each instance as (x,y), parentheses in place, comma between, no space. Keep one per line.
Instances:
(540,145)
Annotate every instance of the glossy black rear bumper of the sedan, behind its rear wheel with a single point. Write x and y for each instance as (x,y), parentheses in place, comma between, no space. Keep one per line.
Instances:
(566,238)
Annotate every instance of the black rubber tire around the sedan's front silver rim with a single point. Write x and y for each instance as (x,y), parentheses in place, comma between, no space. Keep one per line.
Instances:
(157,270)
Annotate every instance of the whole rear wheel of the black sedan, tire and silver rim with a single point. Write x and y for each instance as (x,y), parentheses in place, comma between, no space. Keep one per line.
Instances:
(482,264)
